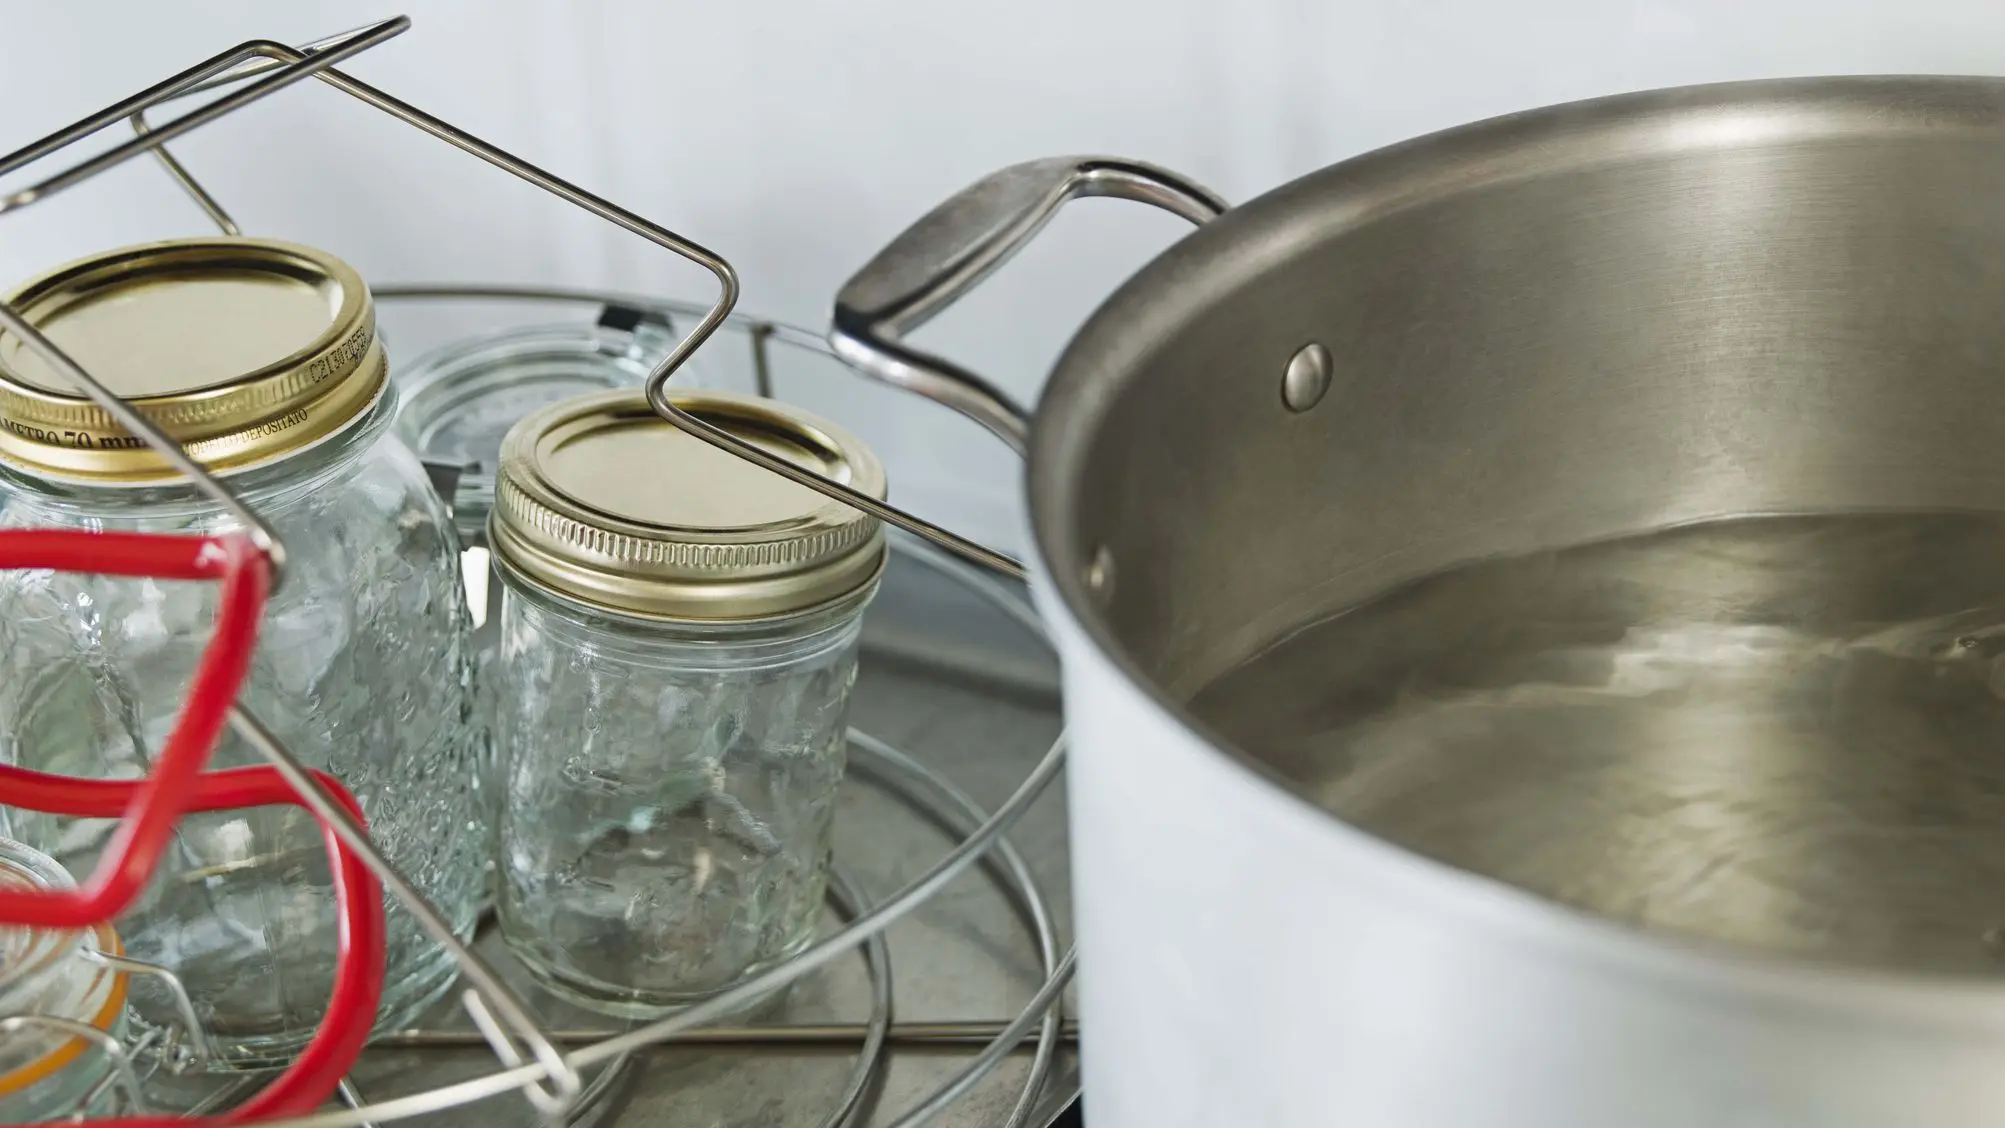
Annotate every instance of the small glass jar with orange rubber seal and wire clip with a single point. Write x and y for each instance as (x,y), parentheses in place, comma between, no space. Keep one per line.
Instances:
(51,975)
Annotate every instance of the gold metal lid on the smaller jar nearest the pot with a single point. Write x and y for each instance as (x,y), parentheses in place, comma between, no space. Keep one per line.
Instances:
(607,504)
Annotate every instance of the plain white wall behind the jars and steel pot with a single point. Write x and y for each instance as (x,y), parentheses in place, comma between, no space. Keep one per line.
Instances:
(797,137)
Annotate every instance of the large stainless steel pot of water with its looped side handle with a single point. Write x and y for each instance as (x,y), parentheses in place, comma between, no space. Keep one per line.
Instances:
(1533,606)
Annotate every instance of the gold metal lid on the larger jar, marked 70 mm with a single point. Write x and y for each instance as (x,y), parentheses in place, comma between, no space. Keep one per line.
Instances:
(244,350)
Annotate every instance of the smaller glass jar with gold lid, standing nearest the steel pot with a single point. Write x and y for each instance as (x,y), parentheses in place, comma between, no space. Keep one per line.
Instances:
(679,644)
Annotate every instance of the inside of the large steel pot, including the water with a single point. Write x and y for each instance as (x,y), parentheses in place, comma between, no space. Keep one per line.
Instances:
(1649,546)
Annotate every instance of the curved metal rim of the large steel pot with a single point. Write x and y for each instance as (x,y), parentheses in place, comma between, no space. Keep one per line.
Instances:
(1130,330)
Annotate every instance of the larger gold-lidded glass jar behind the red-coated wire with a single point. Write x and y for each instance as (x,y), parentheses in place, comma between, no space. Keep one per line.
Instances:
(262,358)
